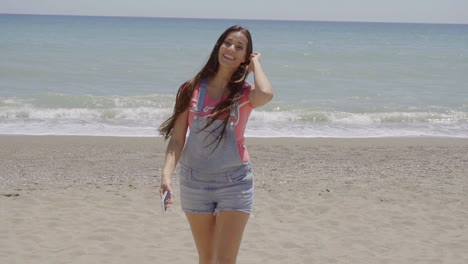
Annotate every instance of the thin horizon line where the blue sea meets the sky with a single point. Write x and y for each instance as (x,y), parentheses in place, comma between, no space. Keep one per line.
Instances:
(248,19)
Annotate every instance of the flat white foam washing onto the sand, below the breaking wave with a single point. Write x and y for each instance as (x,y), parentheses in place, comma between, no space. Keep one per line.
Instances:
(254,129)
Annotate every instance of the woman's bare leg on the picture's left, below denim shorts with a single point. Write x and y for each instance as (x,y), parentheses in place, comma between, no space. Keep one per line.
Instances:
(203,229)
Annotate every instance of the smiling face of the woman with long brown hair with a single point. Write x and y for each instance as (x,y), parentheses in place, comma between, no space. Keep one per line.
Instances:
(233,50)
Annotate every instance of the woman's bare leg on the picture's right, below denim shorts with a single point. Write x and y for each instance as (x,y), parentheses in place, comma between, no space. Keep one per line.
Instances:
(230,226)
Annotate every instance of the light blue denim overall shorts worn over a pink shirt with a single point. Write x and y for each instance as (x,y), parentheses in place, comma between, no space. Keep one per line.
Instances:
(212,176)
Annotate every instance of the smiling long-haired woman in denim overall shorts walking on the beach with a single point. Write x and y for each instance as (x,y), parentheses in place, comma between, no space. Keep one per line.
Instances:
(216,184)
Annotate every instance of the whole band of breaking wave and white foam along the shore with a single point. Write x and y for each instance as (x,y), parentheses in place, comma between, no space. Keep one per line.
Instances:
(143,121)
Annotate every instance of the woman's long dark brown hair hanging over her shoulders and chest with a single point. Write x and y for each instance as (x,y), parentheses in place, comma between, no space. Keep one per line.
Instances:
(235,85)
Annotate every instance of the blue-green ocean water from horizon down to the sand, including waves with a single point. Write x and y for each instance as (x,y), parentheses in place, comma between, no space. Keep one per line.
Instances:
(117,76)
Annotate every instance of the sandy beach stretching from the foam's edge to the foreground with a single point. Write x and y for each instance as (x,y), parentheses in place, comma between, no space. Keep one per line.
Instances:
(70,199)
